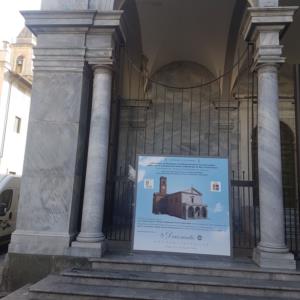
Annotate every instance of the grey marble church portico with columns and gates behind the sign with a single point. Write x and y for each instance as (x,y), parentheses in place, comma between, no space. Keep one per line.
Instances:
(114,79)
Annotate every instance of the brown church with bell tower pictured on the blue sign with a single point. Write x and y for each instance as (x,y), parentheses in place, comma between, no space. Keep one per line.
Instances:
(187,204)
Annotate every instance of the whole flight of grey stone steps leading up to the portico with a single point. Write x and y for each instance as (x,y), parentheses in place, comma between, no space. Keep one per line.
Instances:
(162,277)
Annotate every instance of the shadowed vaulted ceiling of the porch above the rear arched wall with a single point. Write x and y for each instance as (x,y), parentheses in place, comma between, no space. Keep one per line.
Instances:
(189,30)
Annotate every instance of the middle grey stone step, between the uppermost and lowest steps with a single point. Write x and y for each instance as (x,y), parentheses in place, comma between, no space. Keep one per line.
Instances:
(181,282)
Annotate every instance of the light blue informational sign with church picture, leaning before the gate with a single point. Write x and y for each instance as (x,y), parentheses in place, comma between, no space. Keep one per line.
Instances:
(182,205)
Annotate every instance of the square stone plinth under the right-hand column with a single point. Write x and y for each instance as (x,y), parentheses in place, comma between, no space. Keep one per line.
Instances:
(269,260)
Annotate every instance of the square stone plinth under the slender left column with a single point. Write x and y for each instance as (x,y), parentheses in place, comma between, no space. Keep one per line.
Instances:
(90,250)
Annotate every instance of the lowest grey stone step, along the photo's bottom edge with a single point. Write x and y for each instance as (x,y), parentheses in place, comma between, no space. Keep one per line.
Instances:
(57,287)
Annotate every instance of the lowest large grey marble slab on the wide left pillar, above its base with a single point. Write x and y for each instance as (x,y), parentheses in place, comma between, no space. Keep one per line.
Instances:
(45,203)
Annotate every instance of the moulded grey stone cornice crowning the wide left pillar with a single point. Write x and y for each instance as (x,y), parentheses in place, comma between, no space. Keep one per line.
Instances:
(101,29)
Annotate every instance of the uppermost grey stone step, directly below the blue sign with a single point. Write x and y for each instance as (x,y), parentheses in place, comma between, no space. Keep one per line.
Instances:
(192,265)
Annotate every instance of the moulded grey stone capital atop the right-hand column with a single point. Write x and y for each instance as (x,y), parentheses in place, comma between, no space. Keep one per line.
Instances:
(264,26)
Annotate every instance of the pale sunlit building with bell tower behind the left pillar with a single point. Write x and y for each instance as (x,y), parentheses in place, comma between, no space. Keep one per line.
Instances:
(15,92)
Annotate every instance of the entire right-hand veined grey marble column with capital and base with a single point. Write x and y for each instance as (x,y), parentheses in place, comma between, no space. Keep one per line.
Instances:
(263,27)
